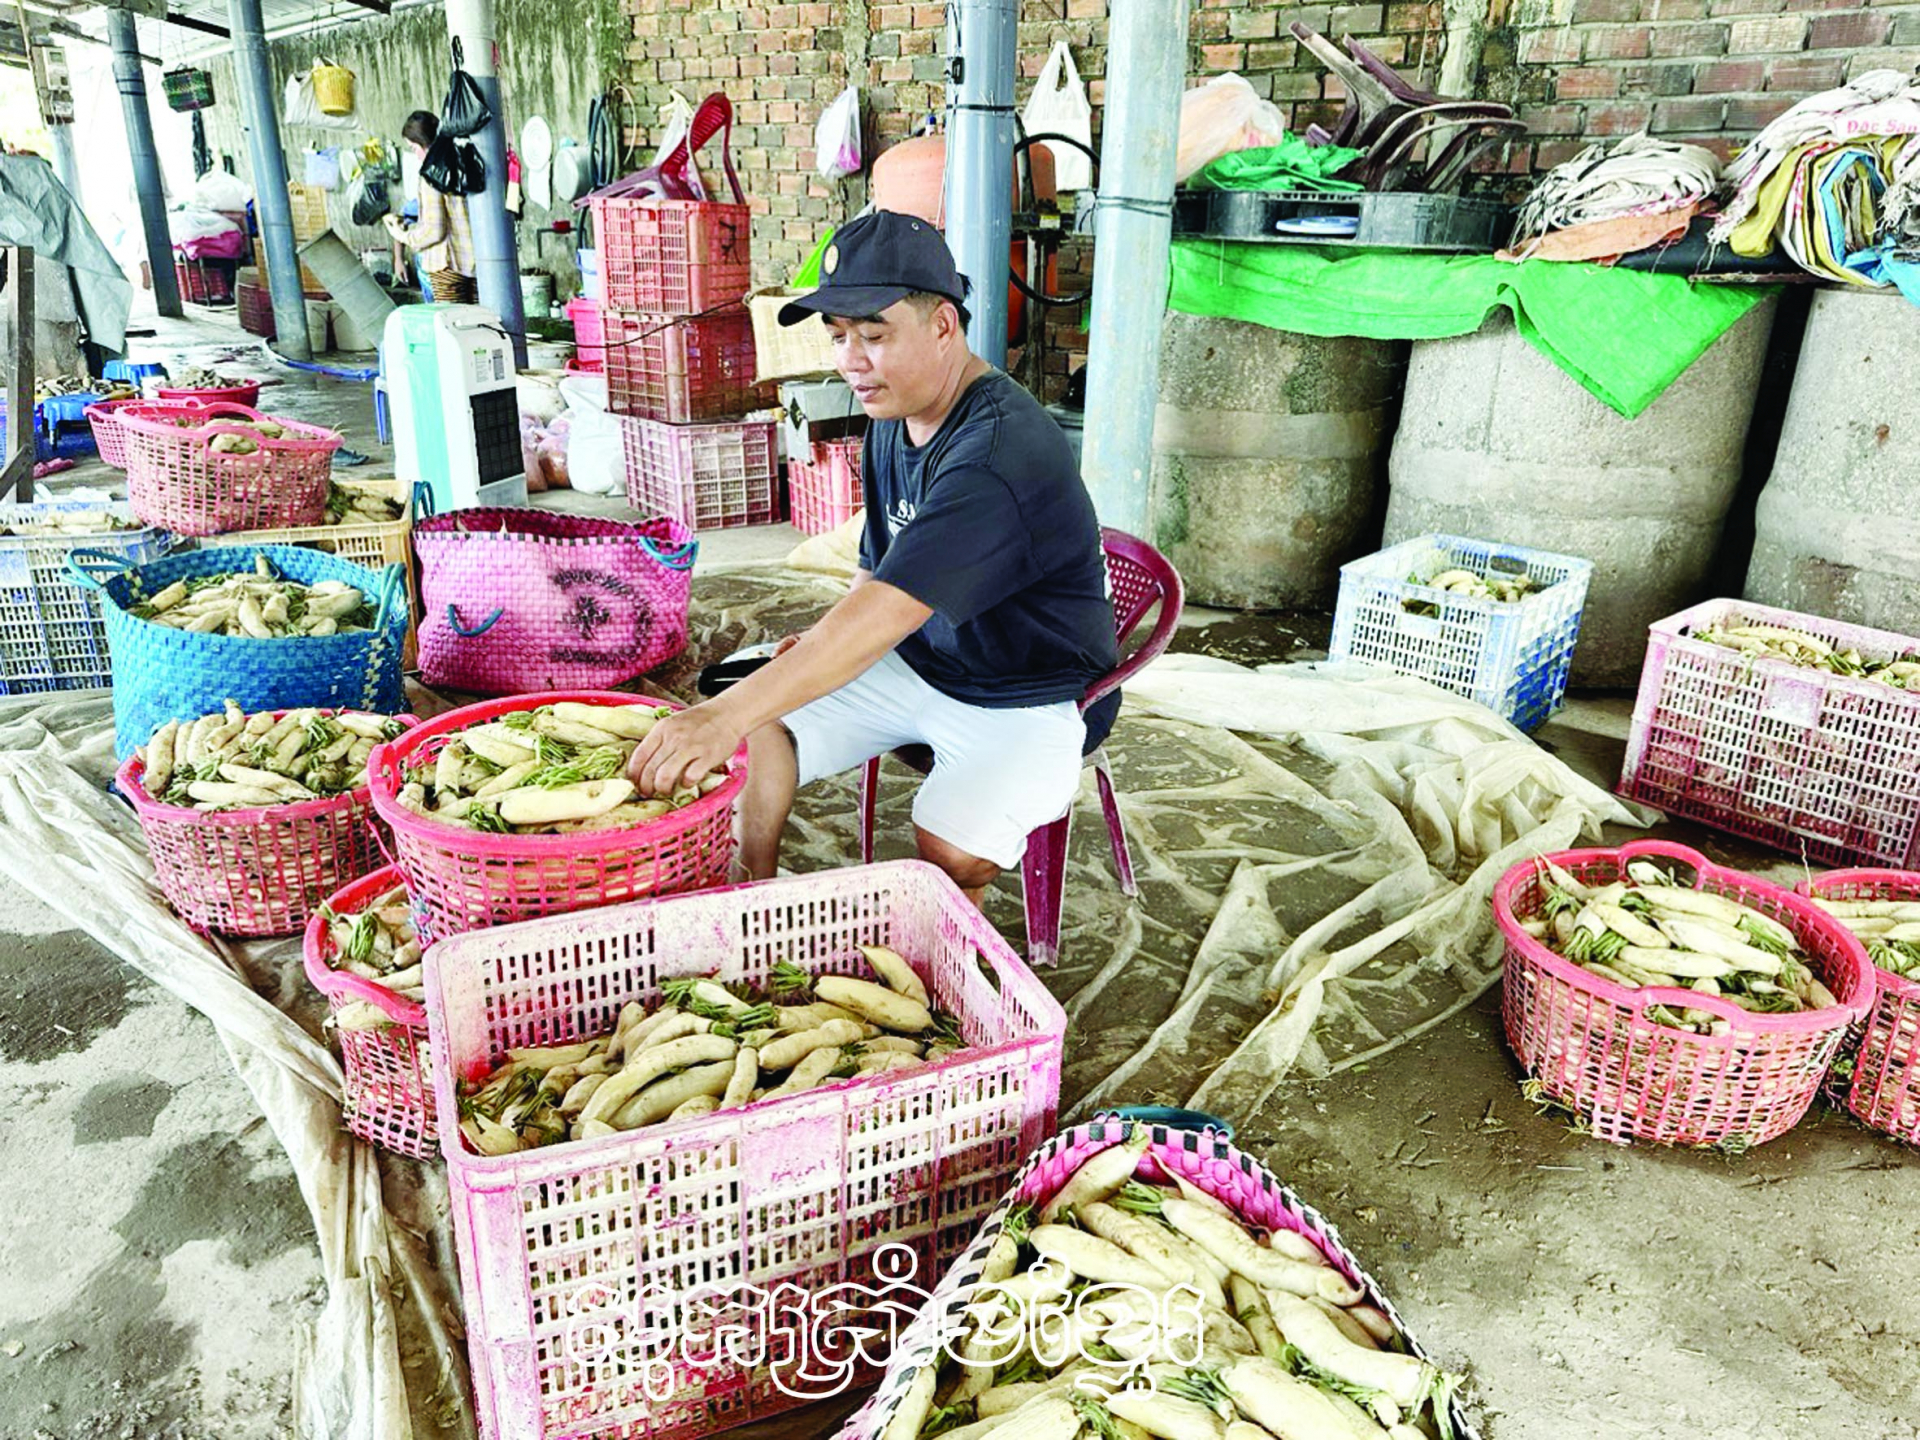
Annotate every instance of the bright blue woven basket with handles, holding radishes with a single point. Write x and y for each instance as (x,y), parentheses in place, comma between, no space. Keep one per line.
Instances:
(172,675)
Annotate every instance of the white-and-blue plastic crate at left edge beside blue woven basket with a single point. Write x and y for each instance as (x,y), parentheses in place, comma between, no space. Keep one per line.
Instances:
(53,635)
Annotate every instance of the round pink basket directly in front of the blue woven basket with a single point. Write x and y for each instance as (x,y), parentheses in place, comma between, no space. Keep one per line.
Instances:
(254,873)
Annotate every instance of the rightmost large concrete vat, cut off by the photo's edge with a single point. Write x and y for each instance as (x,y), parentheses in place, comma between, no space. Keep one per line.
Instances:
(1835,529)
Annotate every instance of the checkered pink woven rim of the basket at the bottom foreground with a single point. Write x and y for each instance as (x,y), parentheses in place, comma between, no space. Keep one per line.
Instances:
(1203,1159)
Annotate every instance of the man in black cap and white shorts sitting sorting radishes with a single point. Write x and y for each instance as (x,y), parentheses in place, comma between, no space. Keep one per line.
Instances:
(980,612)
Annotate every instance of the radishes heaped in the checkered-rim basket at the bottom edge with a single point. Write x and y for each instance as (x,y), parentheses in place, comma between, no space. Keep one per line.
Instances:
(1124,1308)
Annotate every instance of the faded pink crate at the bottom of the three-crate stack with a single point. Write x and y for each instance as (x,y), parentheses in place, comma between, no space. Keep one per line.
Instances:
(709,477)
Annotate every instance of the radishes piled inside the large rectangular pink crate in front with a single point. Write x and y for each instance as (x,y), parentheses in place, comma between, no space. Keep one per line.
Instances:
(711,1047)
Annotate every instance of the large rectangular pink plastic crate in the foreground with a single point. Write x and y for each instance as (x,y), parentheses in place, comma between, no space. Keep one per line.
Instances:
(581,1260)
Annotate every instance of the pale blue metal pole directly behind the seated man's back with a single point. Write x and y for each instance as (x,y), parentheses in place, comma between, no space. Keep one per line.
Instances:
(1134,252)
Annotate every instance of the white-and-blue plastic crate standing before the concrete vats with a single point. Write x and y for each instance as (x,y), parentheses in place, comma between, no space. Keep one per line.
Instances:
(1510,656)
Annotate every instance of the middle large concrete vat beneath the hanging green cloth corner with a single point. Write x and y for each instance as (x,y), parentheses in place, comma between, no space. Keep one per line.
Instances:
(1497,443)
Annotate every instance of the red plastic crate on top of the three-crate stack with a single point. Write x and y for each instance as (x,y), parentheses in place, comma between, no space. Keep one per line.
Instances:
(673,256)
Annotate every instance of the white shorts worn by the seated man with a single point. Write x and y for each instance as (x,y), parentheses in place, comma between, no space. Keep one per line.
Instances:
(997,775)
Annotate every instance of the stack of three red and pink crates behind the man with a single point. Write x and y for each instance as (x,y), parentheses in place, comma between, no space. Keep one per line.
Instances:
(677,345)
